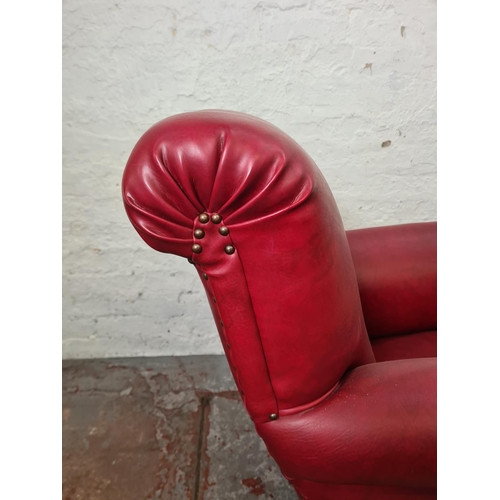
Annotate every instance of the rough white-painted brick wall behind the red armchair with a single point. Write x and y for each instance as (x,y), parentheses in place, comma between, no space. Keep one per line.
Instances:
(353,82)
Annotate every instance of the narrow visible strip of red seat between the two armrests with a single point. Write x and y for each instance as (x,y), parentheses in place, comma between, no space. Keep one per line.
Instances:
(409,346)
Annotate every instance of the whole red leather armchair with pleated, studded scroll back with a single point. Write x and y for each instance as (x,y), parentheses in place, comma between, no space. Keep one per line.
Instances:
(330,336)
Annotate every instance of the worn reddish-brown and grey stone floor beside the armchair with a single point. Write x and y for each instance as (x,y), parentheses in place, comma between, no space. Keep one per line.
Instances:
(171,428)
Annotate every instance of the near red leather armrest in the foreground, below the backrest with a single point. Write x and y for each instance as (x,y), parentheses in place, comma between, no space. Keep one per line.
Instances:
(378,428)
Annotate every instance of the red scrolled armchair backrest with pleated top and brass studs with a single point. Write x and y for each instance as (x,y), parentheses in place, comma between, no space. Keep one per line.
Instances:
(279,278)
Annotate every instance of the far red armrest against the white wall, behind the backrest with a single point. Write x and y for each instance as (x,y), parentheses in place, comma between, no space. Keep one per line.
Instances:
(397,278)
